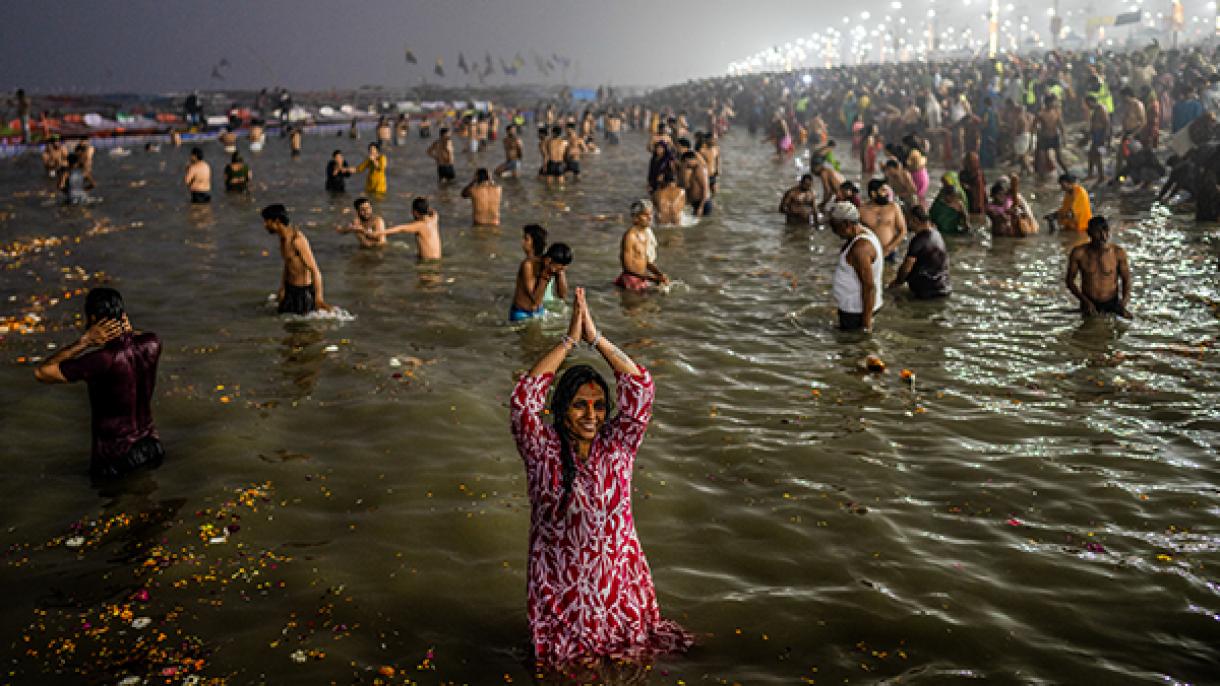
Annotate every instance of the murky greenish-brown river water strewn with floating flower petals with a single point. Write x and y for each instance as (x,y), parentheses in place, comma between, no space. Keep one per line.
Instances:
(342,500)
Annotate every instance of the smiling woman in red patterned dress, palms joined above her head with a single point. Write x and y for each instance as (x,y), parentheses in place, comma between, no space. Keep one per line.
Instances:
(591,594)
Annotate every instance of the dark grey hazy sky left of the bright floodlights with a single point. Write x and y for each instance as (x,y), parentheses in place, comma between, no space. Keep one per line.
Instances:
(157,46)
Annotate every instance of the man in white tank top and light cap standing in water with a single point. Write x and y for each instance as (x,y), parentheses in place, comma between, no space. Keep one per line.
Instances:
(857,284)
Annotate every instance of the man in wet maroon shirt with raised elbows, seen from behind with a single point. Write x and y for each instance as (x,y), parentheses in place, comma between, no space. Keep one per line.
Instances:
(121,375)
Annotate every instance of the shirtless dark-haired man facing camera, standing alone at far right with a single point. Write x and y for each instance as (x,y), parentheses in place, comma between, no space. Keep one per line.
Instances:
(1101,267)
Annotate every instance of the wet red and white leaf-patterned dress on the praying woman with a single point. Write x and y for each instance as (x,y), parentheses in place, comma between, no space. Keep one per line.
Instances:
(591,591)
